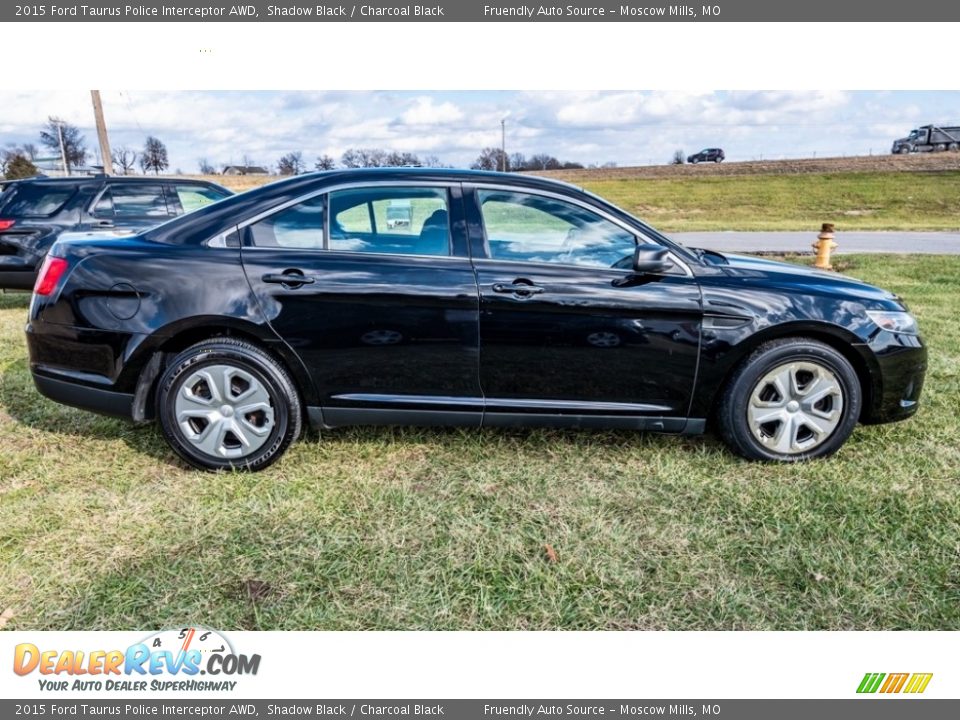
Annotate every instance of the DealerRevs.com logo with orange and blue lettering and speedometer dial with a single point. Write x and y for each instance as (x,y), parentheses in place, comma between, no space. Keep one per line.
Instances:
(169,660)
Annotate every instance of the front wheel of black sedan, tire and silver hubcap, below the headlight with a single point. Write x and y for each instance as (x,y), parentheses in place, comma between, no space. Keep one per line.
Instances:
(793,399)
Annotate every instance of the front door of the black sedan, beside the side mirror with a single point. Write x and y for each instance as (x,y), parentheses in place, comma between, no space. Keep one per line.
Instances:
(566,329)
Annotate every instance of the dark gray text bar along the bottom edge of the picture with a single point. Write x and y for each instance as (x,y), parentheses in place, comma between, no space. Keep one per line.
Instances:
(874,708)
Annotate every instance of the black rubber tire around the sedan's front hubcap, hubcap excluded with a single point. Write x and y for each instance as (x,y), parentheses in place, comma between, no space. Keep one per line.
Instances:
(732,412)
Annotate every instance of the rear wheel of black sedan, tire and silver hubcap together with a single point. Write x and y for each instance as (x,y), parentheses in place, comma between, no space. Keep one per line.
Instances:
(225,403)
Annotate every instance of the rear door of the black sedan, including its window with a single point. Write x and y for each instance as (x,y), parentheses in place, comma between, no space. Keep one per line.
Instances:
(383,315)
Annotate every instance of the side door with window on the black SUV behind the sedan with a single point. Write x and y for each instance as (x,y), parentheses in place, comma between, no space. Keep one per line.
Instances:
(128,206)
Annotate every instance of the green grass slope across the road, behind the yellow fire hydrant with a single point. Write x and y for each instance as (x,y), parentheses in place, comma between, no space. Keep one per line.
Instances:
(854,201)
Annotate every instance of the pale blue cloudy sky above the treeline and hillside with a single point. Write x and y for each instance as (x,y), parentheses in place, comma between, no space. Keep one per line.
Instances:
(624,127)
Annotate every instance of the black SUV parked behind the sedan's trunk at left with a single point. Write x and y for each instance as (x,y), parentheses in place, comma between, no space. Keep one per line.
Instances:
(34,212)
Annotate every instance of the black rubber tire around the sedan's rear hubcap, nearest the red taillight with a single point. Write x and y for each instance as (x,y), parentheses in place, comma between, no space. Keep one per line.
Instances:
(251,361)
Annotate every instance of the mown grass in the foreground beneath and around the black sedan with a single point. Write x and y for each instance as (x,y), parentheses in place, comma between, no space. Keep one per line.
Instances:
(102,528)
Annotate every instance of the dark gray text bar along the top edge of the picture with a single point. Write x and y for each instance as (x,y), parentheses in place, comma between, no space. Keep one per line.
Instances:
(612,11)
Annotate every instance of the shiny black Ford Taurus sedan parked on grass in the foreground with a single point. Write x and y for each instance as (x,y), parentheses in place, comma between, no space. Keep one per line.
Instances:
(506,300)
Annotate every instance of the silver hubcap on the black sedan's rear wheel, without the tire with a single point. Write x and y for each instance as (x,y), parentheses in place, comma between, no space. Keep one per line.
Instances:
(224,412)
